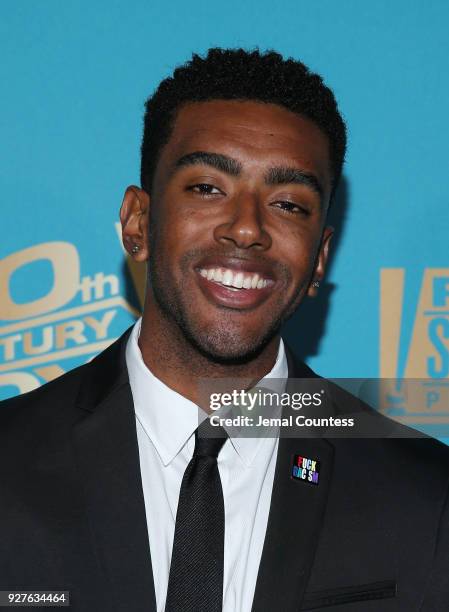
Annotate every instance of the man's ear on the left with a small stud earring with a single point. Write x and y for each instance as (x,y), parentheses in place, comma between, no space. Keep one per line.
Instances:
(134,214)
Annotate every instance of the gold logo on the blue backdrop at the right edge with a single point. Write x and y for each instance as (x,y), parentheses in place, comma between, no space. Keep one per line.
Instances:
(414,344)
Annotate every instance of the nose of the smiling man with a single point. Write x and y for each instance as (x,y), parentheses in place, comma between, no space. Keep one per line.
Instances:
(244,228)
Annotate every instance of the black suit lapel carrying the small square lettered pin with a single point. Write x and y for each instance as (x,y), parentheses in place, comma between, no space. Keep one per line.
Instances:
(295,519)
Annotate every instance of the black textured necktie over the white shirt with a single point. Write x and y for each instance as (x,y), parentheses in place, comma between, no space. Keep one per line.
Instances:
(195,582)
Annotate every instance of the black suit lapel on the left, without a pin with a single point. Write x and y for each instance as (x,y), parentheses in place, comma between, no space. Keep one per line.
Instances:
(106,452)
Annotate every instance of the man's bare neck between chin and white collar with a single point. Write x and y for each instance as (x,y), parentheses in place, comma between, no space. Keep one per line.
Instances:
(177,363)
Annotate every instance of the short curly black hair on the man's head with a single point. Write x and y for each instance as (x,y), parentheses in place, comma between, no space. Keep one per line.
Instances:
(238,74)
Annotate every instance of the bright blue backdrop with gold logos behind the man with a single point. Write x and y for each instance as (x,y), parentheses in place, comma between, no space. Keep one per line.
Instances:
(76,75)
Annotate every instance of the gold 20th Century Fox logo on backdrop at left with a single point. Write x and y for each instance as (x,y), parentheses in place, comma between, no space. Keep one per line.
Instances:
(77,316)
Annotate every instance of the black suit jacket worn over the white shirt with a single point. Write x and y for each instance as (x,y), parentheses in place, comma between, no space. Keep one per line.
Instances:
(372,536)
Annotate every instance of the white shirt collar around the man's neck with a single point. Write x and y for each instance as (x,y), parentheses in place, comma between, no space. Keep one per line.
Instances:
(168,418)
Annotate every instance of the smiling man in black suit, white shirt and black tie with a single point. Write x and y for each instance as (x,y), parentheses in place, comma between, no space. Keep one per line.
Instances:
(108,492)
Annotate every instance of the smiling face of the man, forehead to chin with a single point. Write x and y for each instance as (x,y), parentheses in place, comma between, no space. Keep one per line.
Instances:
(237,216)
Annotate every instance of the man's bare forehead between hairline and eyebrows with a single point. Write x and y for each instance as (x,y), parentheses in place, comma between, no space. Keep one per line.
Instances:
(253,132)
